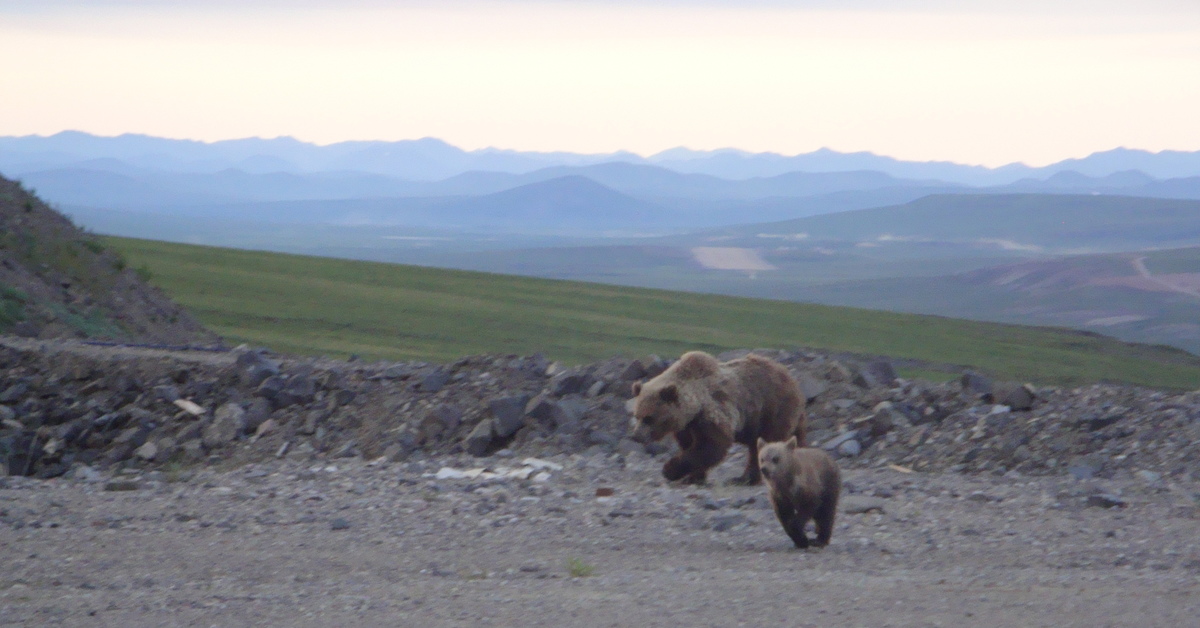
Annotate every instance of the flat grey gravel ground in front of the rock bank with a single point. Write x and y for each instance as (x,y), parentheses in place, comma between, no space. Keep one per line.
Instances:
(299,542)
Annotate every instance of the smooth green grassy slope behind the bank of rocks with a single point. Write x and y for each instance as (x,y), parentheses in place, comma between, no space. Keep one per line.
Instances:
(335,308)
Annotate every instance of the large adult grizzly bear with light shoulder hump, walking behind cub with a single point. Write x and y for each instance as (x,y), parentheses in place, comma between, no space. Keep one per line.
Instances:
(710,405)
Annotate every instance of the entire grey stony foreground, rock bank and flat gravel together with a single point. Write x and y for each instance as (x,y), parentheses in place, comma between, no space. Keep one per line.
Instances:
(320,493)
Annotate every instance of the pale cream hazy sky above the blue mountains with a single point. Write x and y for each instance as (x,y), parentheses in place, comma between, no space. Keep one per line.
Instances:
(991,83)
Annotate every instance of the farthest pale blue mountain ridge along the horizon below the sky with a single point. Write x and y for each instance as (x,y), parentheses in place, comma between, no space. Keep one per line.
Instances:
(433,160)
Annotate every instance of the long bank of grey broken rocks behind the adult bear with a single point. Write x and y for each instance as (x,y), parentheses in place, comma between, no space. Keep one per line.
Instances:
(63,410)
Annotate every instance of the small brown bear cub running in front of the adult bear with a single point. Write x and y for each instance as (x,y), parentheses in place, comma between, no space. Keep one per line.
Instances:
(805,485)
